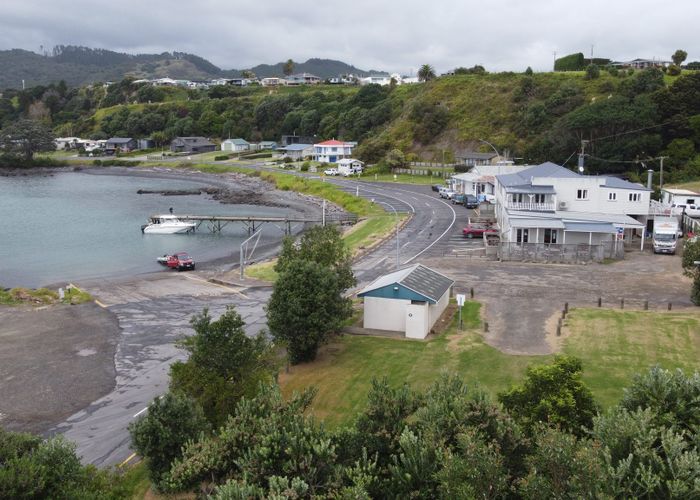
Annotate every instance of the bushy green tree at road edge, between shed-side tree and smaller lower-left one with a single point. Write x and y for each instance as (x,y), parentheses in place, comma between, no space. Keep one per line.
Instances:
(224,364)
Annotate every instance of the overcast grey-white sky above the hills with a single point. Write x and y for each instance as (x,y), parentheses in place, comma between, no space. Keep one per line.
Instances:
(396,35)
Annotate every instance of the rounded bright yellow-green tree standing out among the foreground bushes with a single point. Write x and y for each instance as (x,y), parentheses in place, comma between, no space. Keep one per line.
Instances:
(553,394)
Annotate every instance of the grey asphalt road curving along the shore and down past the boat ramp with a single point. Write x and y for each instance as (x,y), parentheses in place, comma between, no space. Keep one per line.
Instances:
(154,312)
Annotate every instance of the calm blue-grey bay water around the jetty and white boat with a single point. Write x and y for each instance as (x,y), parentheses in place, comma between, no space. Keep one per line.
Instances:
(74,225)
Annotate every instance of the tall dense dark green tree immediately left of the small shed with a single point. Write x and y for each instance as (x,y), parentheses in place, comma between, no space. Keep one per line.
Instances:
(306,307)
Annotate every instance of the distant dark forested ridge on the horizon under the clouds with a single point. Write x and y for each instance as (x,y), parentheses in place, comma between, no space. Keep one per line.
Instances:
(82,65)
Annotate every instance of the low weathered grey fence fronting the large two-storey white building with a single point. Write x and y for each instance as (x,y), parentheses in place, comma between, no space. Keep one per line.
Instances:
(562,253)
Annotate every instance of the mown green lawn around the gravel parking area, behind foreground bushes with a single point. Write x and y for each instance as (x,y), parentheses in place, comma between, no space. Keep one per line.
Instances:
(613,345)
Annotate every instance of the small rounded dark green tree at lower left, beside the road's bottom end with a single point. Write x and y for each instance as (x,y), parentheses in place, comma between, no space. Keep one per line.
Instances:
(159,436)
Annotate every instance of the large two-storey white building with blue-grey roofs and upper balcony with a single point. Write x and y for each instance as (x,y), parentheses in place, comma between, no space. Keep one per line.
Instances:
(552,205)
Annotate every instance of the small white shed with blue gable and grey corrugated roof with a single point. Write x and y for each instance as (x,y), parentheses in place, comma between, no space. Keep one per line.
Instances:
(409,300)
